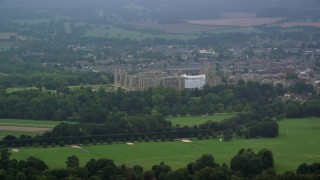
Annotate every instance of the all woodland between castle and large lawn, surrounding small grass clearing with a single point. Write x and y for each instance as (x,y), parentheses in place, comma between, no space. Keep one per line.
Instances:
(140,116)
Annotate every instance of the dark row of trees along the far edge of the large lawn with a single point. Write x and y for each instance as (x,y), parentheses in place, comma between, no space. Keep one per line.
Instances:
(145,128)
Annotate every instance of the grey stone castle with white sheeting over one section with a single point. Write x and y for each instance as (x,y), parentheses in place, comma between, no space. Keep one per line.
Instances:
(180,78)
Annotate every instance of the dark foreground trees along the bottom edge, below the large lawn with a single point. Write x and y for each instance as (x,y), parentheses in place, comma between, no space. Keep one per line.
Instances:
(246,164)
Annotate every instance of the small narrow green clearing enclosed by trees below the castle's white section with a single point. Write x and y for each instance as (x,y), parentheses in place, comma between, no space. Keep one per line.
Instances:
(196,120)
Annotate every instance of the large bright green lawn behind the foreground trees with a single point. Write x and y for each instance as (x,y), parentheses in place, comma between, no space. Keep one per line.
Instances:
(298,142)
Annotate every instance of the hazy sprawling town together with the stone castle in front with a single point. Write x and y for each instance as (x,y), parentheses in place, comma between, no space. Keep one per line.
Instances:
(190,67)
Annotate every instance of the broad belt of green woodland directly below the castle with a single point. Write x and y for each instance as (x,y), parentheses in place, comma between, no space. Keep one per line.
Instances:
(89,105)
